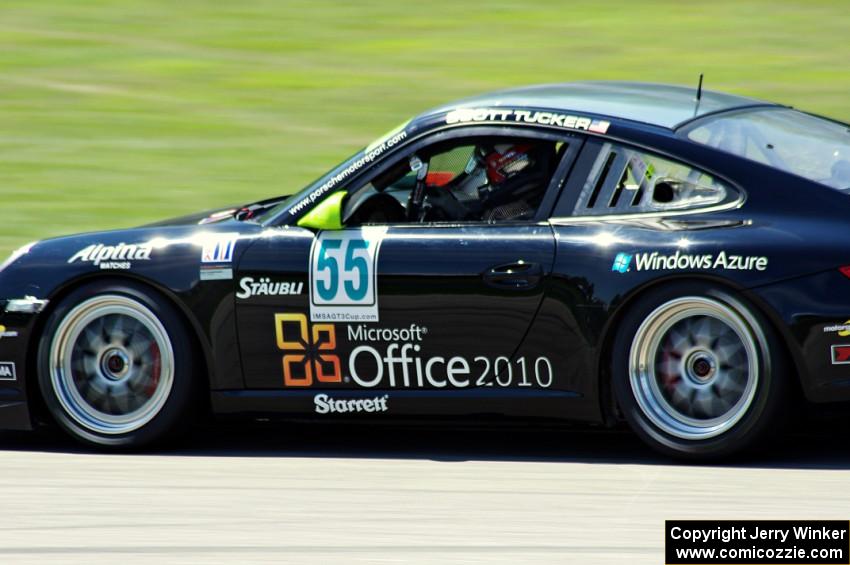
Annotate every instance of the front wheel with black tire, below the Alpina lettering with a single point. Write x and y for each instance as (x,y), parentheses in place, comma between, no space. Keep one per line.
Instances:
(127,387)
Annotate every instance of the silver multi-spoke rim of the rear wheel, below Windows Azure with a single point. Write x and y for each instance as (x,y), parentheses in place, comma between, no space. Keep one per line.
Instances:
(693,367)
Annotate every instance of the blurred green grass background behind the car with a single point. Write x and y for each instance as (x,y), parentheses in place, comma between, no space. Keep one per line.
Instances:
(114,113)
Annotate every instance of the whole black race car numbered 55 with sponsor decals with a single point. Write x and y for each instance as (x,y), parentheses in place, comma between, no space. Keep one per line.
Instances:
(591,252)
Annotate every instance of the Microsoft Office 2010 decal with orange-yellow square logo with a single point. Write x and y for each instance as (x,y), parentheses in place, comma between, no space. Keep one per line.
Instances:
(365,356)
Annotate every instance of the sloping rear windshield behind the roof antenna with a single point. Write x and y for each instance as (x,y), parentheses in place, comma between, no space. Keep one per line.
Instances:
(808,146)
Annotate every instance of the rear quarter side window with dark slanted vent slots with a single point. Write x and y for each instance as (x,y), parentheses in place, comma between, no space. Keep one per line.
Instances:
(624,180)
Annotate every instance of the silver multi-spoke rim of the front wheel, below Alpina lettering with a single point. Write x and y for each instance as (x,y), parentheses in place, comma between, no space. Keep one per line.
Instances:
(111,364)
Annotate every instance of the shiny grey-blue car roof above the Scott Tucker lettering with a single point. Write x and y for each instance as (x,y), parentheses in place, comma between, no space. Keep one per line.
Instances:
(662,105)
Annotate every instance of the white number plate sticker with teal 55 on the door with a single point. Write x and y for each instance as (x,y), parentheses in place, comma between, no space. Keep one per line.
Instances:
(344,275)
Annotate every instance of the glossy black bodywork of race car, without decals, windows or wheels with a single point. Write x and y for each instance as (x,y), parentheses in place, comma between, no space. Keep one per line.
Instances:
(562,300)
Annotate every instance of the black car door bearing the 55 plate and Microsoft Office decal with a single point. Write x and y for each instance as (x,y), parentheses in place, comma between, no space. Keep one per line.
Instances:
(395,307)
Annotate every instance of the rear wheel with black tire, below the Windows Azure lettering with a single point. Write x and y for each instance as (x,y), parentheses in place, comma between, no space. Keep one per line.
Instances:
(713,396)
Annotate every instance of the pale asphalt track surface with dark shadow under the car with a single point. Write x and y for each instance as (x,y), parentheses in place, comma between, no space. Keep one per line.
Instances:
(306,494)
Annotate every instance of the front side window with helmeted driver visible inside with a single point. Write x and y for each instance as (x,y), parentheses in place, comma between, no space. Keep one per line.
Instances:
(484,179)
